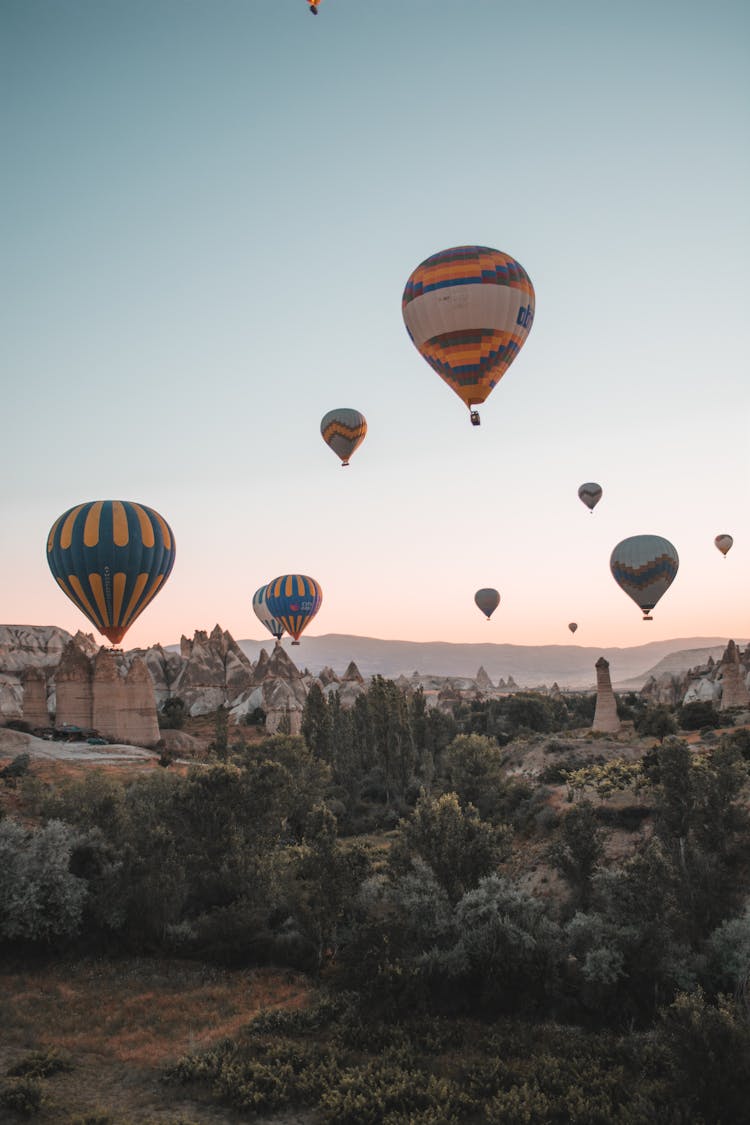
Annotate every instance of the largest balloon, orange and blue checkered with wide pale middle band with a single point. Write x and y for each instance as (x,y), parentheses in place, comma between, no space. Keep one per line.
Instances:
(468,311)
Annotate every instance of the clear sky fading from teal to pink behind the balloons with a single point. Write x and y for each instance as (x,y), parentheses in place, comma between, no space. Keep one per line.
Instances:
(210,211)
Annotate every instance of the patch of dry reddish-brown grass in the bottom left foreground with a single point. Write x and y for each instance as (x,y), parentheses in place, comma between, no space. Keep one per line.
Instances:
(123,1022)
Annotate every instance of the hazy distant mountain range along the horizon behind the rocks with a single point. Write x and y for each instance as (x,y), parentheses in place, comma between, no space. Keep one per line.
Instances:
(530,665)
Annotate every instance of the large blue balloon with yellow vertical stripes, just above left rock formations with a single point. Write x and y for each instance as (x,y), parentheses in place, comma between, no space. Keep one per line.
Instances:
(112,557)
